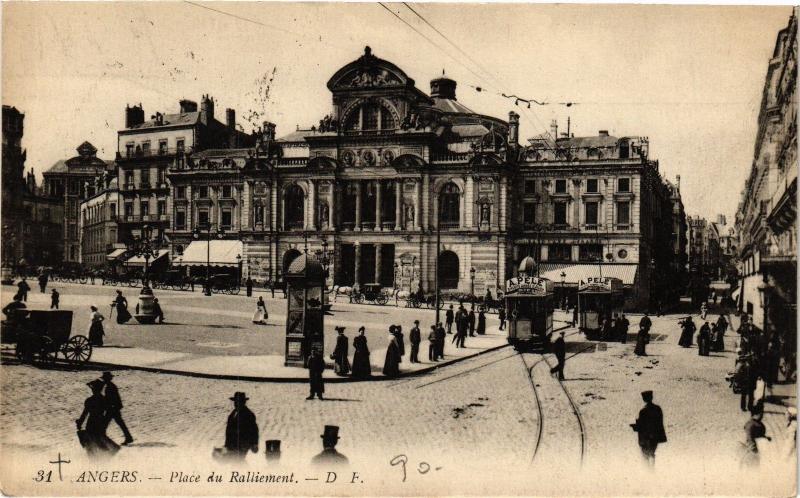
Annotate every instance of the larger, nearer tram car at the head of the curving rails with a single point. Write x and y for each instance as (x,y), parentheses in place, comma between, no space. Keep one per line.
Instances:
(529,310)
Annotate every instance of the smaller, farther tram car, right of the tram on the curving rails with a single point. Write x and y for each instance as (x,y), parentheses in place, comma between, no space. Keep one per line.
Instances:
(598,298)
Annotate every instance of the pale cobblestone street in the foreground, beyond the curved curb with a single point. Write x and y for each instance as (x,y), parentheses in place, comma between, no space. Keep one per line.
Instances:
(476,422)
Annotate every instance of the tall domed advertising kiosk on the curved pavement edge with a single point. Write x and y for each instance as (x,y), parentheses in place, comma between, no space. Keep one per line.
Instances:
(305,280)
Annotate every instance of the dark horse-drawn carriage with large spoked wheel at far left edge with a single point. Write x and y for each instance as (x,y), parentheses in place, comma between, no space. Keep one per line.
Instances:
(43,335)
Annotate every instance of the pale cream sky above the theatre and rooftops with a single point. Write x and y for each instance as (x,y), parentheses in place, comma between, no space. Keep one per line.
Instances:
(688,77)
